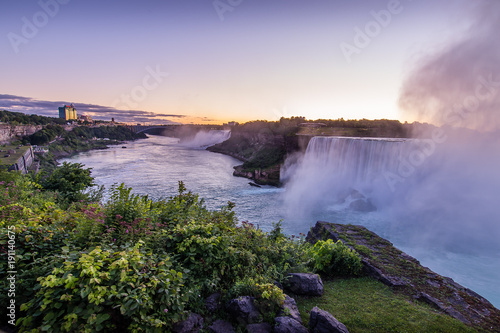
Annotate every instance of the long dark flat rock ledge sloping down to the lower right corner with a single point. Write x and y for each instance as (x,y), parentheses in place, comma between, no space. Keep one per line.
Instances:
(404,274)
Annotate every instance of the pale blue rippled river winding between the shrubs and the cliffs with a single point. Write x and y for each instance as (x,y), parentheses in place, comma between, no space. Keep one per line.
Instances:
(154,166)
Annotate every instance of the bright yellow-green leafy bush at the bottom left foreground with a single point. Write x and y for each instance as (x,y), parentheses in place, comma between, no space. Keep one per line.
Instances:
(108,289)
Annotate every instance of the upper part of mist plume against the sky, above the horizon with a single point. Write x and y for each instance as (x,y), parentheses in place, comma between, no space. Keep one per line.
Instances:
(460,85)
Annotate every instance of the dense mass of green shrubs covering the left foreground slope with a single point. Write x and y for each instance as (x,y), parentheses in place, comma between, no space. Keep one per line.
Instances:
(138,264)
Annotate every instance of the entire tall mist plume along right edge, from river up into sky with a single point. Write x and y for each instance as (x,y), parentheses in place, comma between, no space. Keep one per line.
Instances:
(452,197)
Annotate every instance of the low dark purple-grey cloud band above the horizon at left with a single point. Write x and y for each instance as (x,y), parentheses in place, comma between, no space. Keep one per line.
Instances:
(99,112)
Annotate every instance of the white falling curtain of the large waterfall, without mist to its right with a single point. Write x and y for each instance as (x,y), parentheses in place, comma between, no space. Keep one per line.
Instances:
(342,170)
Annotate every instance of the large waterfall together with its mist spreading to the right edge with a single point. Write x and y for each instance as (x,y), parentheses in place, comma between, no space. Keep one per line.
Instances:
(439,191)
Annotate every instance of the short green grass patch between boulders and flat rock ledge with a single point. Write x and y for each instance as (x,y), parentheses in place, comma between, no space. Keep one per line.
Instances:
(367,305)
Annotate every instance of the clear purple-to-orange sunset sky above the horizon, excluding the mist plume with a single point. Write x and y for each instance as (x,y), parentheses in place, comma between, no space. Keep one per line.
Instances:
(204,61)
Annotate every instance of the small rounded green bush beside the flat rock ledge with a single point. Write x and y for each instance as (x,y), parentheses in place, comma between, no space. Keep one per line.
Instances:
(335,258)
